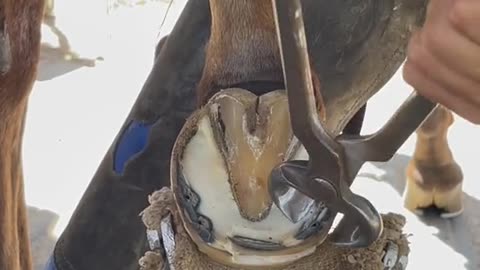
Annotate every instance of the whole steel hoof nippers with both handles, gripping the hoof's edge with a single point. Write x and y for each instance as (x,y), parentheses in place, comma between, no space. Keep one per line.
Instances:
(333,163)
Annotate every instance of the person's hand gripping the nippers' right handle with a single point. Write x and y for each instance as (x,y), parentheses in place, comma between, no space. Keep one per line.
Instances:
(443,59)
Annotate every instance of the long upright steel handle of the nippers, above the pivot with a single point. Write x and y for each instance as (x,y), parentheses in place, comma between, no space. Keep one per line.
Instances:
(304,118)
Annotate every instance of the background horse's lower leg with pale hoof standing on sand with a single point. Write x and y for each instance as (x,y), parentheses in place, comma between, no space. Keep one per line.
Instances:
(433,176)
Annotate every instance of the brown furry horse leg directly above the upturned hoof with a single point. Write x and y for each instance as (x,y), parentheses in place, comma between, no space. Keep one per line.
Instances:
(243,48)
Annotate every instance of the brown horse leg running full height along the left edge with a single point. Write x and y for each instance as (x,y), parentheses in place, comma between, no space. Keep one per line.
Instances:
(20,22)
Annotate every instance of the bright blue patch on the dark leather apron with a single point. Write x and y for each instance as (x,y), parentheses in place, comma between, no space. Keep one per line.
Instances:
(133,141)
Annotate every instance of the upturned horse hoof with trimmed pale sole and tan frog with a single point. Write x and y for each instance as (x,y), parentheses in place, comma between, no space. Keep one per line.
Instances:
(220,170)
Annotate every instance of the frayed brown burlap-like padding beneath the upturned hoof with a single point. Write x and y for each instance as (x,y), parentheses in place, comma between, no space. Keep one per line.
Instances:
(392,245)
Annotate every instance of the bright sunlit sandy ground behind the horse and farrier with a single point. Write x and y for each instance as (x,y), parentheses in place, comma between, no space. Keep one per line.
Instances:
(77,108)
